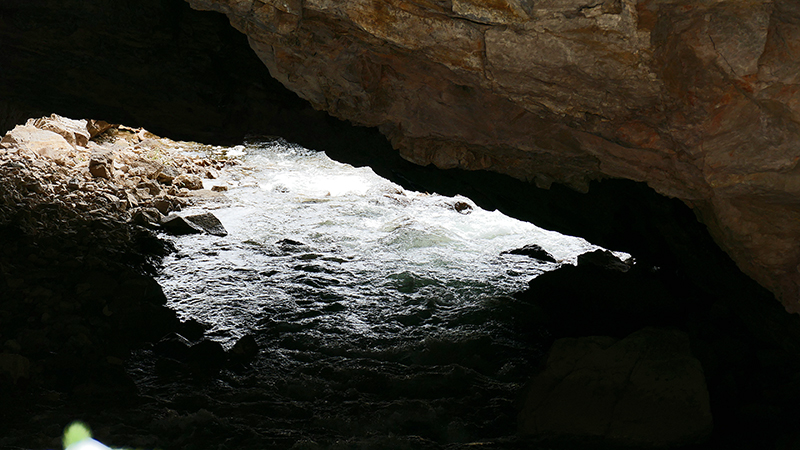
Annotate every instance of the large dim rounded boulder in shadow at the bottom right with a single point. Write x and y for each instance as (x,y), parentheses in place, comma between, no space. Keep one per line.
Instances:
(645,390)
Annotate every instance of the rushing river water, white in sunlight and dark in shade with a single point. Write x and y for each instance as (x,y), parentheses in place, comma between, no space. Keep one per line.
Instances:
(380,313)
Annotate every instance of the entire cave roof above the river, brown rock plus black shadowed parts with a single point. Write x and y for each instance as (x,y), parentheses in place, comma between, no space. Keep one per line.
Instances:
(630,96)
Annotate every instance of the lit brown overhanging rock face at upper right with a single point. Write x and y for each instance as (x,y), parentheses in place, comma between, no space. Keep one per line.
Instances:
(700,100)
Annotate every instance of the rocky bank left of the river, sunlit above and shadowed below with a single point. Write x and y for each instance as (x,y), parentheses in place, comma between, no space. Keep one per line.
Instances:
(78,200)
